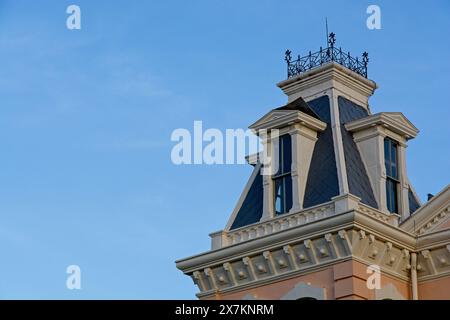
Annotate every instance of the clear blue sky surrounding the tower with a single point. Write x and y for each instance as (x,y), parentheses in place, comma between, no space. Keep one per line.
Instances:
(86,117)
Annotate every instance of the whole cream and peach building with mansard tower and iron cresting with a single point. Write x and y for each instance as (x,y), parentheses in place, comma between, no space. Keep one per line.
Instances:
(339,219)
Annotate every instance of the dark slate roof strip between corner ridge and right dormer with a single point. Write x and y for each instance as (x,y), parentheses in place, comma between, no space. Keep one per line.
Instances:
(358,180)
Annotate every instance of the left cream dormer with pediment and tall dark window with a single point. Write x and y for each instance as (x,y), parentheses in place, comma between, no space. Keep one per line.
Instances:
(291,148)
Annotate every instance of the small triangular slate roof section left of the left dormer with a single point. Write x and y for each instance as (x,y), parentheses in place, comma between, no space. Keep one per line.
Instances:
(251,209)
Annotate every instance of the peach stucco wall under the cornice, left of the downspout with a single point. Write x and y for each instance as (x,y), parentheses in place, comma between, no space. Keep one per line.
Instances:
(343,281)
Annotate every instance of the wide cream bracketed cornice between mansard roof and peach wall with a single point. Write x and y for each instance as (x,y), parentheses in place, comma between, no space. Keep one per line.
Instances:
(359,236)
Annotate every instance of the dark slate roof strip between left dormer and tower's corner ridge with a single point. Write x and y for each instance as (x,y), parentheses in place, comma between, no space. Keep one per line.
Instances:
(322,182)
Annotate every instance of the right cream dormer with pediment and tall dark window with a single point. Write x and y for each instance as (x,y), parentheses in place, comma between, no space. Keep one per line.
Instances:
(382,140)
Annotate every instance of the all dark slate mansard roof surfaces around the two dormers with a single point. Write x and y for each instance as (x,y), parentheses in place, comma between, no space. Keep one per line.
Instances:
(322,179)
